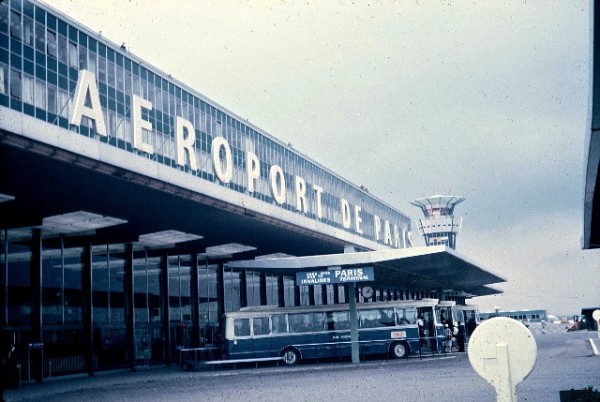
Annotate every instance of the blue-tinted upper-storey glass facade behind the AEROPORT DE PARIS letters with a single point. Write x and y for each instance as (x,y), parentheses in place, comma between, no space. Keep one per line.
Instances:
(42,56)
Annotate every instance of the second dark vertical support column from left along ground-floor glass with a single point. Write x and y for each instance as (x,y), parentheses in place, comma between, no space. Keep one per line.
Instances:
(87,307)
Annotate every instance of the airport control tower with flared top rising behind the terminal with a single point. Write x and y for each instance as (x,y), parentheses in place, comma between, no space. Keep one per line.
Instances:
(439,227)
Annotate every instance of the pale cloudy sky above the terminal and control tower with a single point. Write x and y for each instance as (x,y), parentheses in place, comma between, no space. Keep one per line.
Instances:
(479,99)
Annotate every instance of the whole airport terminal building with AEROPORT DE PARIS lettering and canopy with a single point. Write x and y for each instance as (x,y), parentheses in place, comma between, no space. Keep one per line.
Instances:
(134,211)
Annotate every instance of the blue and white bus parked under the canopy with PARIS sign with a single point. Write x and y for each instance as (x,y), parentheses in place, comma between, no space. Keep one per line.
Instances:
(323,331)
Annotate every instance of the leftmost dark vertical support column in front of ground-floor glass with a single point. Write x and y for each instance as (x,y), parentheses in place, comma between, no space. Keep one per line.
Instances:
(35,285)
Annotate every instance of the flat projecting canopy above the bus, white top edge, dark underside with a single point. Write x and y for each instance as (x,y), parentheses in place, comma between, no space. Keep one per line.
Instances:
(436,268)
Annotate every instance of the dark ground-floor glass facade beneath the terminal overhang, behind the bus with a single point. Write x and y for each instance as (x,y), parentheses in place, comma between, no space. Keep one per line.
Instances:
(72,336)
